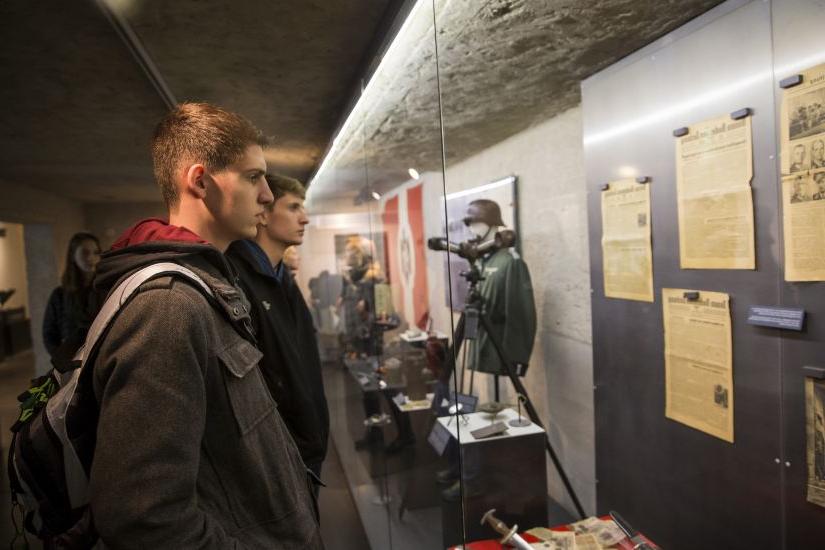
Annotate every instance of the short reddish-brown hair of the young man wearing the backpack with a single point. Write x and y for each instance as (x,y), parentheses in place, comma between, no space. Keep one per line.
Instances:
(199,132)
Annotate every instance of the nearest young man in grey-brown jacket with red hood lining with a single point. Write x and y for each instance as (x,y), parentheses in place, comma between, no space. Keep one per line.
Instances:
(191,450)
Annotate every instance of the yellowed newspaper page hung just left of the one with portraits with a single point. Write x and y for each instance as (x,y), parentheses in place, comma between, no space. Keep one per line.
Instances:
(714,168)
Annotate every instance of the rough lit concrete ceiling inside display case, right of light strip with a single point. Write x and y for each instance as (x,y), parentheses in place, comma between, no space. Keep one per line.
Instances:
(503,66)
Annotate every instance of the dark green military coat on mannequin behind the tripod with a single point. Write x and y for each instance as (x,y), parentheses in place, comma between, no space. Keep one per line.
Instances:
(511,311)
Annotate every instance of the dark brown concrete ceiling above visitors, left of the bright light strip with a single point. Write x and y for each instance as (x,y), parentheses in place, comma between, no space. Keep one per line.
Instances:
(78,110)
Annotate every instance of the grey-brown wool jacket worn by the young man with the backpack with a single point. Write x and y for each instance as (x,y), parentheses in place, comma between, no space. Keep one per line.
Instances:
(191,450)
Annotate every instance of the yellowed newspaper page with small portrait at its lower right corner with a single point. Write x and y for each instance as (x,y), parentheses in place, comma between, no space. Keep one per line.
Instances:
(699,360)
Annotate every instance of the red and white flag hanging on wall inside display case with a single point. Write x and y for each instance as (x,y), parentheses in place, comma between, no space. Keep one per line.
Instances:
(402,216)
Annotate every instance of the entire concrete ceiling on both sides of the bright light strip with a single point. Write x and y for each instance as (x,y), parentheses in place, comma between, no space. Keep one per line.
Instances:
(78,110)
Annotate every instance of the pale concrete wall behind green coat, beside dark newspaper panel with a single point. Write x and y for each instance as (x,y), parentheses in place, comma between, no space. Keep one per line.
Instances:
(548,161)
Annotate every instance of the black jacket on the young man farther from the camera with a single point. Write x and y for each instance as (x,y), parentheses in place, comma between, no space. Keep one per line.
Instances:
(291,364)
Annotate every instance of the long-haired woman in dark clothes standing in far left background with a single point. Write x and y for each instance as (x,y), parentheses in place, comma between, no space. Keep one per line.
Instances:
(73,304)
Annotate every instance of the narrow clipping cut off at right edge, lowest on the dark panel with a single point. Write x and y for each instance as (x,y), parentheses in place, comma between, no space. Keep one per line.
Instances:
(815,431)
